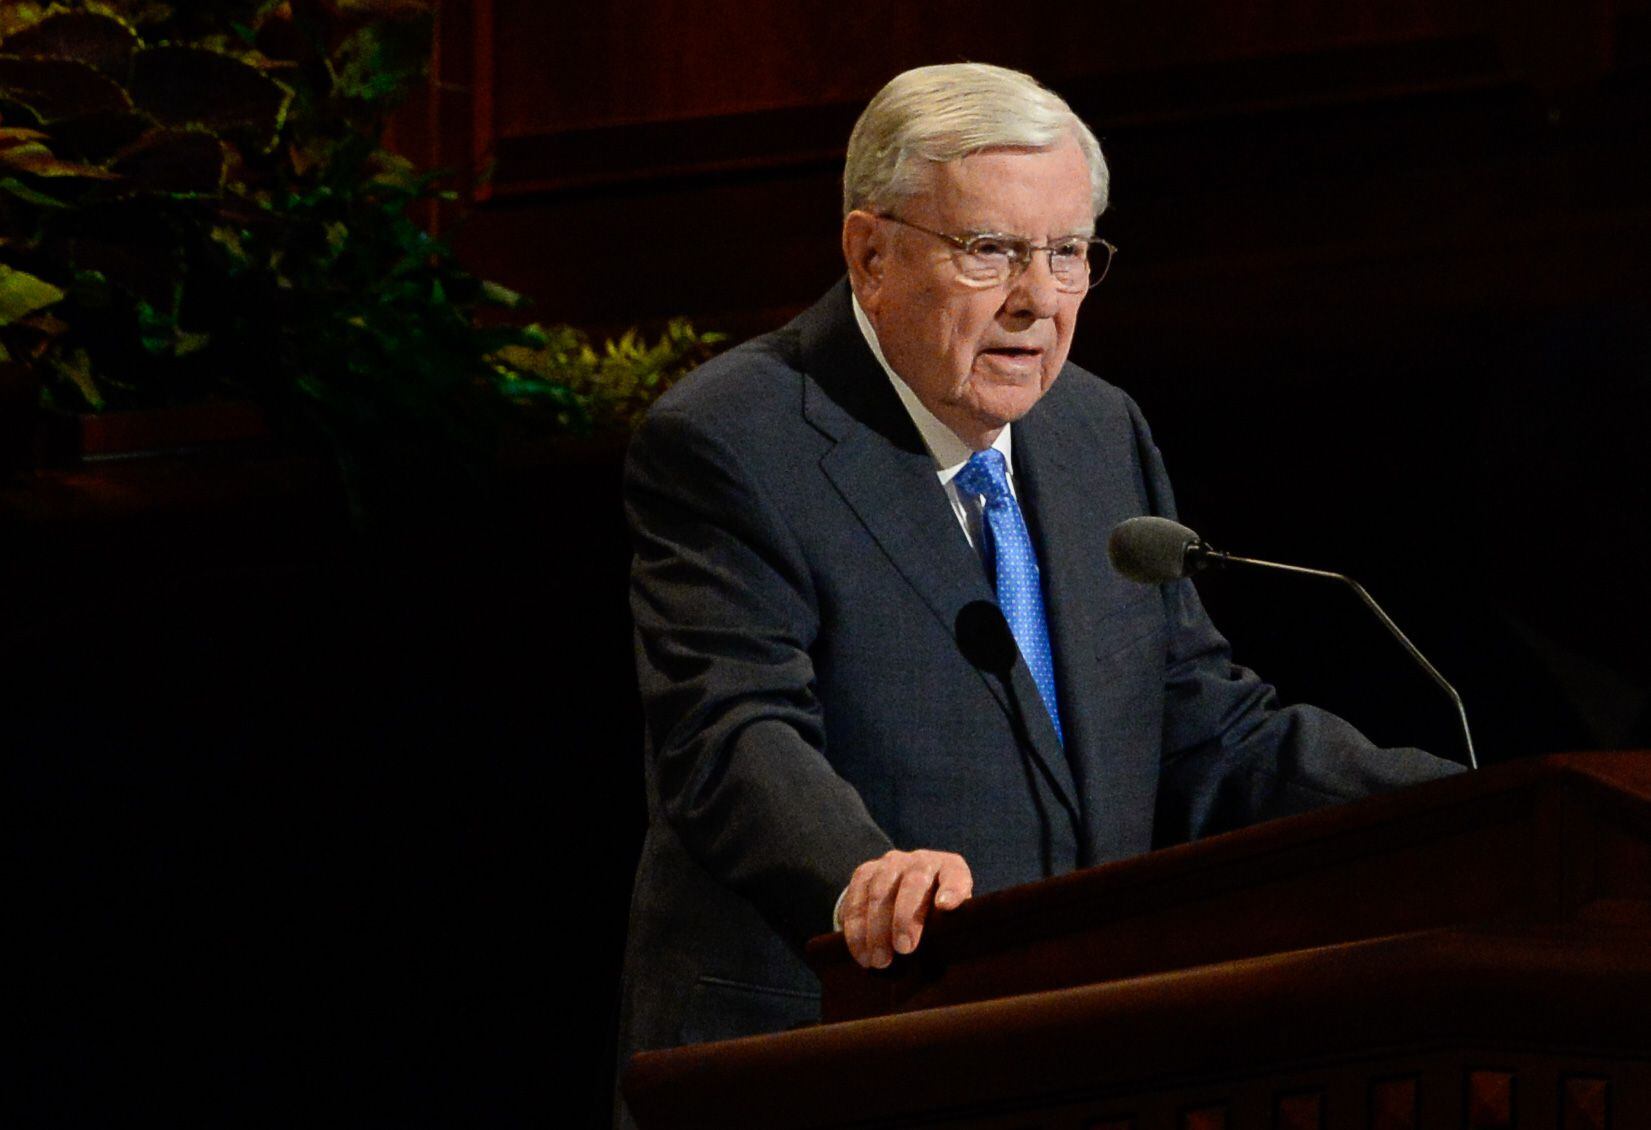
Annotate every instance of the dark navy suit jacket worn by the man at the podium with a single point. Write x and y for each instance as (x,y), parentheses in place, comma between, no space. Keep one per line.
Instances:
(798,586)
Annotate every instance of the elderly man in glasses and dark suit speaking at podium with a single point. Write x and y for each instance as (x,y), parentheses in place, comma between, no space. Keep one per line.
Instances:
(826,520)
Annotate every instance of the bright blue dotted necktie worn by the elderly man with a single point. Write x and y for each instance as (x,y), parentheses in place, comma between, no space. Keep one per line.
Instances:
(1011,559)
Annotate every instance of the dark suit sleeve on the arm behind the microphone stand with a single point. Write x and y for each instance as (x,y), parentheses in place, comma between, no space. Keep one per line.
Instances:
(1232,754)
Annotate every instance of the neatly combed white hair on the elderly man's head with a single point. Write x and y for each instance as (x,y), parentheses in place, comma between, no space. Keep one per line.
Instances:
(935,115)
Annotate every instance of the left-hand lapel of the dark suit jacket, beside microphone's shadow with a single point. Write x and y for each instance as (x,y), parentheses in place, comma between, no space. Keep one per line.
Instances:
(887,477)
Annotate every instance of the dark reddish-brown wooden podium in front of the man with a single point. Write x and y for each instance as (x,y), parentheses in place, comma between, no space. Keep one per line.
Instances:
(1472,956)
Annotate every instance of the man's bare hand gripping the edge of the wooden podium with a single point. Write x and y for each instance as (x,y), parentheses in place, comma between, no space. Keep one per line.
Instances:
(889,901)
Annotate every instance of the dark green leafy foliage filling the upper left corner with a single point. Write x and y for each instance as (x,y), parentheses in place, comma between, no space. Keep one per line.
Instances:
(196,204)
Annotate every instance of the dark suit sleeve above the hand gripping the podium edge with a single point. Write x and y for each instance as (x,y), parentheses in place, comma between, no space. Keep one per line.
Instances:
(726,619)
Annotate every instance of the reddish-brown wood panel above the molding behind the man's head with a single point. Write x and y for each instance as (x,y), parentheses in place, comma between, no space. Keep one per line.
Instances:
(660,60)
